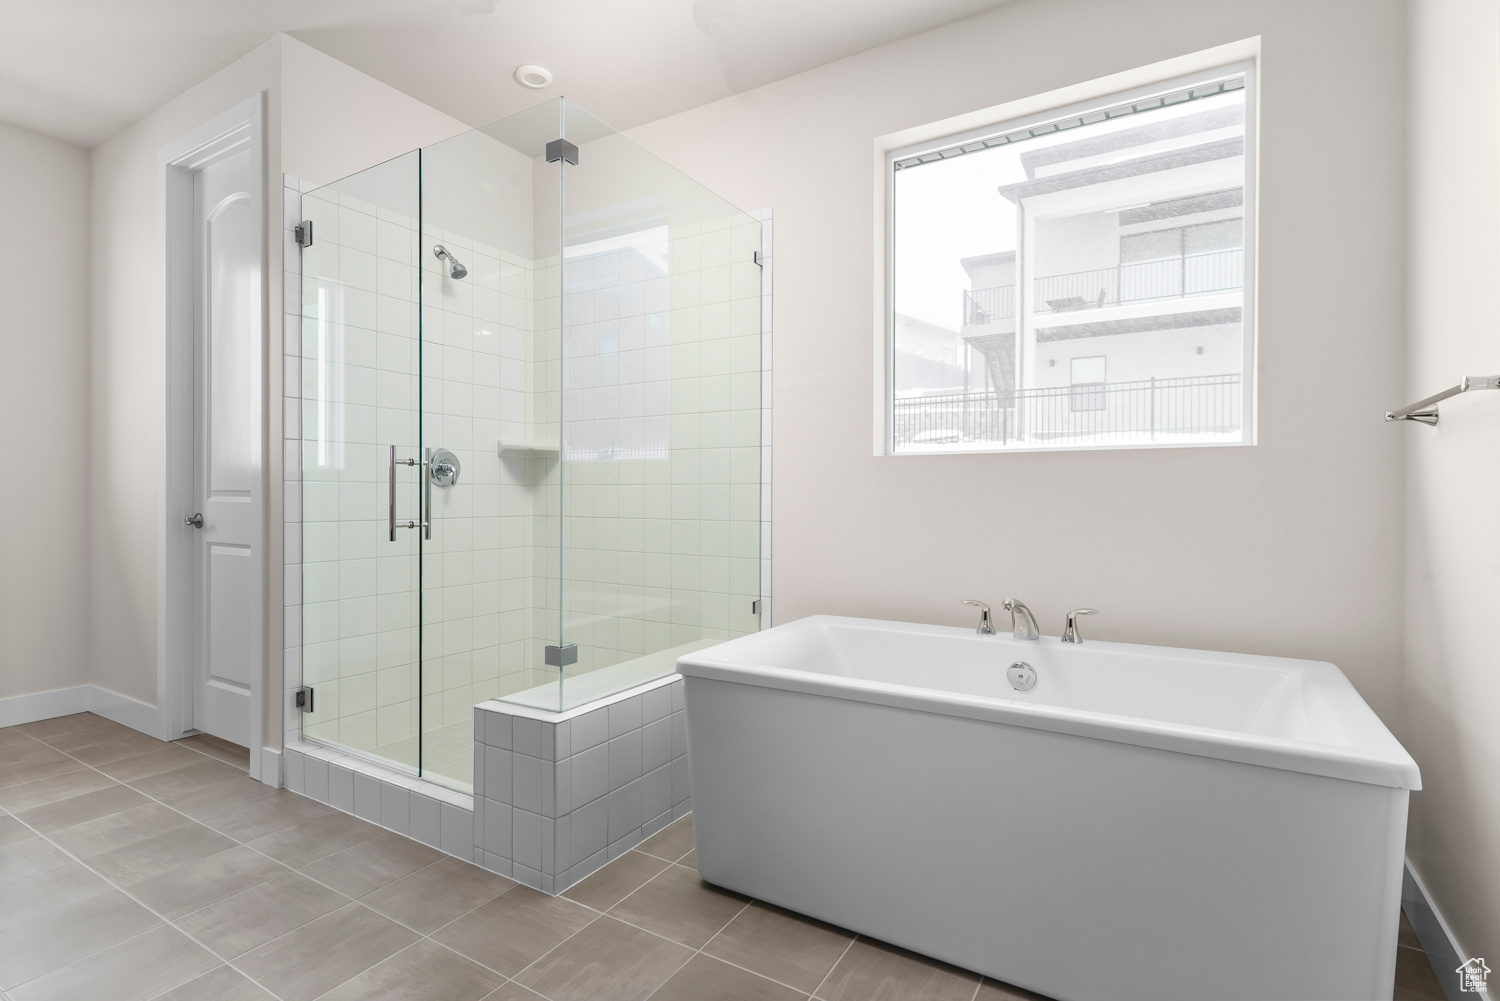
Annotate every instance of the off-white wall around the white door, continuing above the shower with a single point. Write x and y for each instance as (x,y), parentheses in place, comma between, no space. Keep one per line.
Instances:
(335,121)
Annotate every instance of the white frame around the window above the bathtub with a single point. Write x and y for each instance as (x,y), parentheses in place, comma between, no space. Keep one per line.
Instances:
(1162,79)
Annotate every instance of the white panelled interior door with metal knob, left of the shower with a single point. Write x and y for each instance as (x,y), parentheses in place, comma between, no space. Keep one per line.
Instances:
(227,445)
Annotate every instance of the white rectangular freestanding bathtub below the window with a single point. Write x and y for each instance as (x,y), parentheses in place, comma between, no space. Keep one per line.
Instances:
(1145,823)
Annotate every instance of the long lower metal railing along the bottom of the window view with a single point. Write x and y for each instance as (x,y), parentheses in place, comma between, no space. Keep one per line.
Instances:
(1147,410)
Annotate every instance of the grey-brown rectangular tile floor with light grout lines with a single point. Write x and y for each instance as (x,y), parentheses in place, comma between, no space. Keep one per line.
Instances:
(133,870)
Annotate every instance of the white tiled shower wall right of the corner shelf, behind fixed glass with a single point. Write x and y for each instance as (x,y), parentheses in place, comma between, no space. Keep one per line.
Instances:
(664,546)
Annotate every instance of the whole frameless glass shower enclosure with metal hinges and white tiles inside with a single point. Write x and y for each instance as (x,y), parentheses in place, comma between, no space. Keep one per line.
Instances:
(530,436)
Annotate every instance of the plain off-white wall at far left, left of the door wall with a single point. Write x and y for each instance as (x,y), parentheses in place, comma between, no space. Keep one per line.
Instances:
(44,409)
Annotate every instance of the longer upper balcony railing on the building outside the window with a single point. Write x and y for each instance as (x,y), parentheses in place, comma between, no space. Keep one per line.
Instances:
(1172,278)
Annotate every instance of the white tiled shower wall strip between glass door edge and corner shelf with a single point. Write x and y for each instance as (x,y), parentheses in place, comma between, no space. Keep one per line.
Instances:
(478,379)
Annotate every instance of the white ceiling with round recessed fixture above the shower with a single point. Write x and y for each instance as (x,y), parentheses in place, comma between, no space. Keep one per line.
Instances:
(85,70)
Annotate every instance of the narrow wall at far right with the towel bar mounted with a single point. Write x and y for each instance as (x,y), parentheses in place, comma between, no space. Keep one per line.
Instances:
(1453,682)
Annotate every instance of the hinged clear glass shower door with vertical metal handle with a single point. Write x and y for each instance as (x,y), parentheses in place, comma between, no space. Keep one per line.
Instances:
(359,412)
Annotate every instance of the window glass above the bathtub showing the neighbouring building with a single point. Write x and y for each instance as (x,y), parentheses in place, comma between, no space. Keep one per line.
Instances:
(1078,280)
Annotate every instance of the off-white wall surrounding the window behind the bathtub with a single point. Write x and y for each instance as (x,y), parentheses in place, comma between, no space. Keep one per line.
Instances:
(1292,547)
